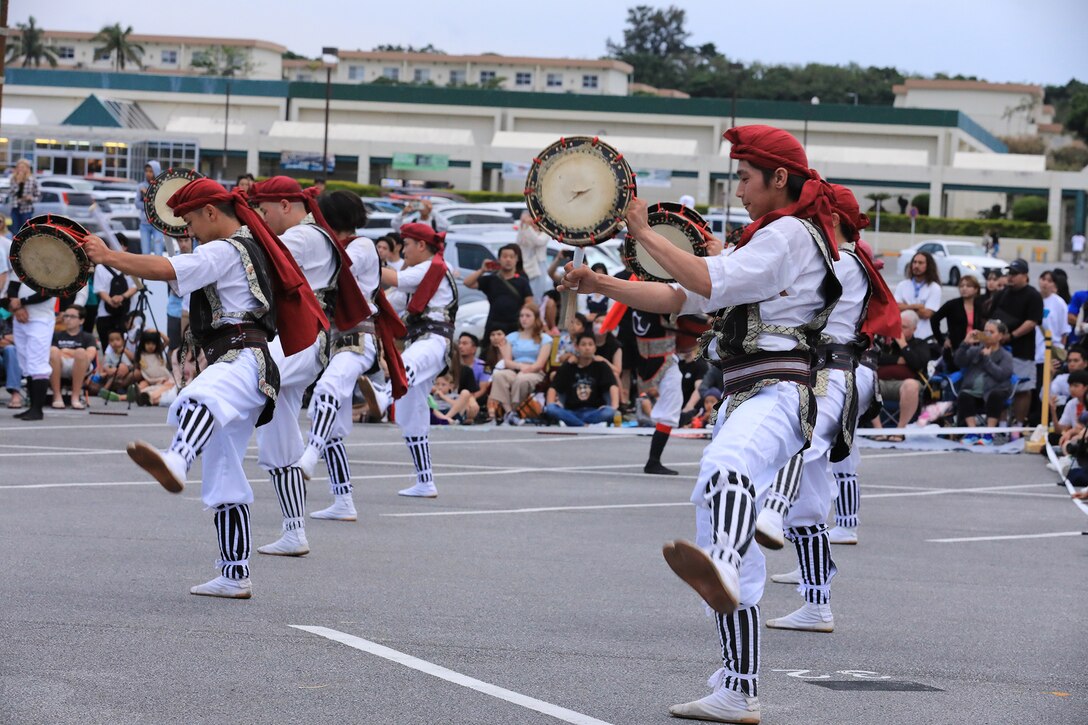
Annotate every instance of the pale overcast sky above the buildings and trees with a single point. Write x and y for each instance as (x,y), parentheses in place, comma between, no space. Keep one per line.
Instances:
(1044,42)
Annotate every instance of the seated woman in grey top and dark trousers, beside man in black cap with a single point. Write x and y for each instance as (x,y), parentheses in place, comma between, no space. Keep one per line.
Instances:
(987,378)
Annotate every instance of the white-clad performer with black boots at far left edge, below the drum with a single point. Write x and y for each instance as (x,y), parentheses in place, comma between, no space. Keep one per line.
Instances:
(33,322)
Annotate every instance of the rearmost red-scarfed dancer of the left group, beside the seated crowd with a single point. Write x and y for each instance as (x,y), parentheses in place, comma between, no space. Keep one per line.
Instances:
(432,309)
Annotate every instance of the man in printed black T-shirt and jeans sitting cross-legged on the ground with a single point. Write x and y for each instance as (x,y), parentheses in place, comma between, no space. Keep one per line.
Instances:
(585,391)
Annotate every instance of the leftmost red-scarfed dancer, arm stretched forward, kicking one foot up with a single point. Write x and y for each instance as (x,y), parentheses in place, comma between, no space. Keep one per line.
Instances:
(242,280)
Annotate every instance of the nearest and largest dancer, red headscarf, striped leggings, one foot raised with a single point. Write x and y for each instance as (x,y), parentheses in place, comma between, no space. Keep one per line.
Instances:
(771,298)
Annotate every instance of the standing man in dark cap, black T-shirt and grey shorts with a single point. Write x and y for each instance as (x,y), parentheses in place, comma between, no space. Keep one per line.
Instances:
(1020,308)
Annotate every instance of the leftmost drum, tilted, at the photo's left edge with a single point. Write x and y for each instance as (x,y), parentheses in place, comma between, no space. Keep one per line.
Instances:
(47,255)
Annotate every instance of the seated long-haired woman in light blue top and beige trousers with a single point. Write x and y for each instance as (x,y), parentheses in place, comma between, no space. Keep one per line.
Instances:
(525,359)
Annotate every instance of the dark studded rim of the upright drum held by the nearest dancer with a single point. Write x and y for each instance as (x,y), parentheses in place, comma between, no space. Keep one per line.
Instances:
(608,228)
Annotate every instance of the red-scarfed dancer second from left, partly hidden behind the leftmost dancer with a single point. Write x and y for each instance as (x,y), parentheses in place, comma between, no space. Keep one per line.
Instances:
(295,217)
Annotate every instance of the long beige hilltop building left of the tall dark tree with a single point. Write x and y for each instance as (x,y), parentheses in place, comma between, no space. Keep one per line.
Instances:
(552,76)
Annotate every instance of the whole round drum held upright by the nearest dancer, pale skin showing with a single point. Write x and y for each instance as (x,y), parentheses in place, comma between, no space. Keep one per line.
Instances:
(578,191)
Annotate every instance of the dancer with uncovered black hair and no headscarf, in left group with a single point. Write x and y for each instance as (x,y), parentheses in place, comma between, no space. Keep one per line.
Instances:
(354,354)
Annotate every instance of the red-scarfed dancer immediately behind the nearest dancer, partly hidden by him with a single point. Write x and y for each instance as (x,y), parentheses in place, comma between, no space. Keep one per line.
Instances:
(802,491)
